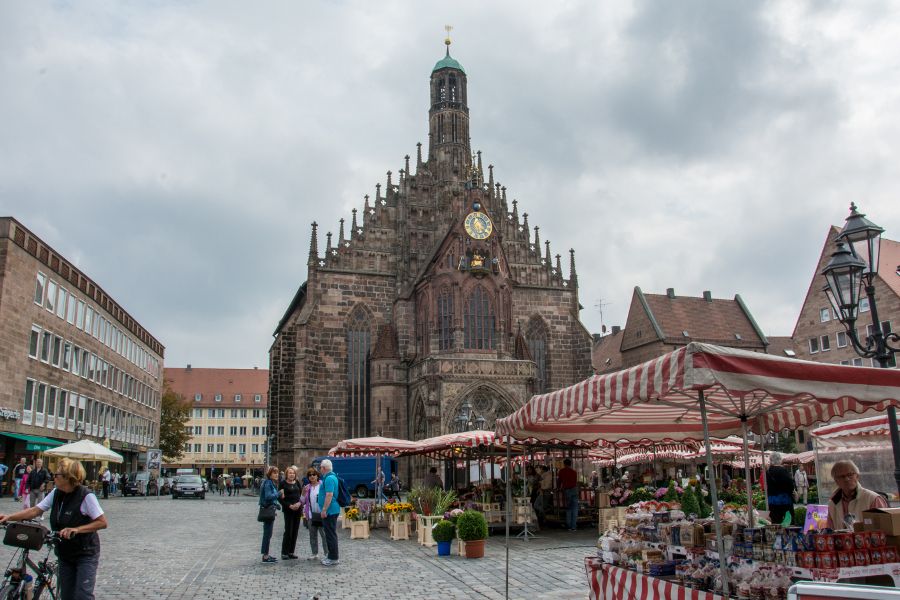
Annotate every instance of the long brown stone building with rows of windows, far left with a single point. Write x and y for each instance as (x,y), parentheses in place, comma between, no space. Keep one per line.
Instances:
(73,362)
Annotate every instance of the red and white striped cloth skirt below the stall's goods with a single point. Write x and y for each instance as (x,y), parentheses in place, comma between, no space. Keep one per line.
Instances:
(615,583)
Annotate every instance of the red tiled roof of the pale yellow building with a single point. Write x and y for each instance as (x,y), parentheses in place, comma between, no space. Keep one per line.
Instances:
(227,382)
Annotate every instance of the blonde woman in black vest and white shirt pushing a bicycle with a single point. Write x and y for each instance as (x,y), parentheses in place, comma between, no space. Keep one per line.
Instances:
(76,515)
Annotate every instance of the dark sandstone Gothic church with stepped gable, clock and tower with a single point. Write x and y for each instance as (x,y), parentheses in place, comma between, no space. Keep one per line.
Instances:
(437,309)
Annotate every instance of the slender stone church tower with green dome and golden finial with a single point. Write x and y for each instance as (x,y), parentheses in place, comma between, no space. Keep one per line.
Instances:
(449,152)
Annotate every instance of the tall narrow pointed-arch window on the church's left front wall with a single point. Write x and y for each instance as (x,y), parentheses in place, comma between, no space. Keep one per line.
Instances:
(359,342)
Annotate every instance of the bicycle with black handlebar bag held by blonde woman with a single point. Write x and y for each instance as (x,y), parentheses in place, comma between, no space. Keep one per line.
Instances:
(16,579)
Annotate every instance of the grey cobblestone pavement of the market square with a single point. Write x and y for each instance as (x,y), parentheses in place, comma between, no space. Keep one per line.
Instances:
(209,550)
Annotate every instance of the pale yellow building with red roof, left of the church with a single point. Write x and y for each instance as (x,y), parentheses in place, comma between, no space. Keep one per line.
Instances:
(228,419)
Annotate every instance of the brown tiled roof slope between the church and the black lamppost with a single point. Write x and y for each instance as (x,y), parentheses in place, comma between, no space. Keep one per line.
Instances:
(715,321)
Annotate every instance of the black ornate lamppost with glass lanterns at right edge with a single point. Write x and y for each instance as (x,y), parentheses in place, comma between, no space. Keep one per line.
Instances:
(852,269)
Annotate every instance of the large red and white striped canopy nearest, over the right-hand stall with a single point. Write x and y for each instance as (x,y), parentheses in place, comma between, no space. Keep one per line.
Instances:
(658,399)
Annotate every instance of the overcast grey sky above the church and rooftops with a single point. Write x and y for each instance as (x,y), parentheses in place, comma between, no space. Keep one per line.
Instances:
(178,152)
